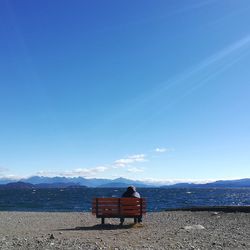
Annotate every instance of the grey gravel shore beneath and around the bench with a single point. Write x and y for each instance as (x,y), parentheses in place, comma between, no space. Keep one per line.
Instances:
(161,230)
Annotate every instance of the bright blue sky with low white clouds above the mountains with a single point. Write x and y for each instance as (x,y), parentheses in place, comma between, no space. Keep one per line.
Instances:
(139,89)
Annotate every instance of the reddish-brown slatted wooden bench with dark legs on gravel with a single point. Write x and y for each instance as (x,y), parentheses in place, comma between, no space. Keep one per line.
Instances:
(119,208)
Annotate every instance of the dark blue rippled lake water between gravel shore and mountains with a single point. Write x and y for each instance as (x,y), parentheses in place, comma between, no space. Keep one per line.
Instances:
(80,199)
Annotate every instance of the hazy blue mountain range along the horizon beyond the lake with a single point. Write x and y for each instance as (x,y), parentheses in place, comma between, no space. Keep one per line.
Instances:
(62,182)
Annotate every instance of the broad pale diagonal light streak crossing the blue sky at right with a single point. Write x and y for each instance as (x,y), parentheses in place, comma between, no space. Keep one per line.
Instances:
(188,81)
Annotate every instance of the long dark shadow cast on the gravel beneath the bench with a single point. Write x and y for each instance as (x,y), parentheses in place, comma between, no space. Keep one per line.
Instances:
(99,227)
